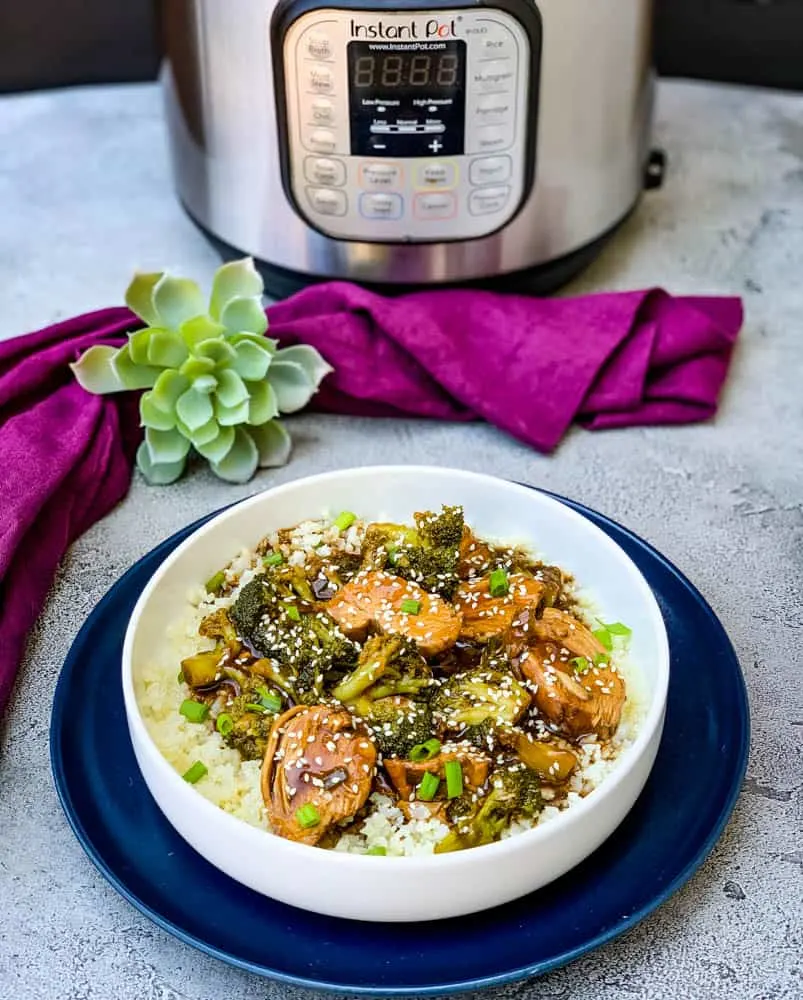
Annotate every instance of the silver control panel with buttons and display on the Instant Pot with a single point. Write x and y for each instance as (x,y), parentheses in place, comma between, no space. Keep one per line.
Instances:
(407,126)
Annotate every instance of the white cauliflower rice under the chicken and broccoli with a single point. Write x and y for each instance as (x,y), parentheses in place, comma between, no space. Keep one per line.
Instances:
(233,784)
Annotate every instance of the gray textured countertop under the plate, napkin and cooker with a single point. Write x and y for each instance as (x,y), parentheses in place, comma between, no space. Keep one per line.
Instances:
(85,198)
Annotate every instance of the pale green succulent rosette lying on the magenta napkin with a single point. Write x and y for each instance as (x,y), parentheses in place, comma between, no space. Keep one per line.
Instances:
(214,382)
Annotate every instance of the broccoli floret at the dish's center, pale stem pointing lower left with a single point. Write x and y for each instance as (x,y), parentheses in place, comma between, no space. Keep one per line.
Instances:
(387,665)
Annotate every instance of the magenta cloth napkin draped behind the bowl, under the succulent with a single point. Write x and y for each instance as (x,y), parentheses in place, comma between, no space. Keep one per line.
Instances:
(529,366)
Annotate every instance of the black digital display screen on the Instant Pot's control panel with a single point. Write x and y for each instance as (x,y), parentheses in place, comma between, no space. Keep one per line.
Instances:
(407,99)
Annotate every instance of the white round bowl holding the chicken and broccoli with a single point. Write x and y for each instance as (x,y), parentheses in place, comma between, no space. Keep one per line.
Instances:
(410,888)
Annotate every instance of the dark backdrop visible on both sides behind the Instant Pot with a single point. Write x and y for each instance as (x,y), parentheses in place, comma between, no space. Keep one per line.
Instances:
(51,43)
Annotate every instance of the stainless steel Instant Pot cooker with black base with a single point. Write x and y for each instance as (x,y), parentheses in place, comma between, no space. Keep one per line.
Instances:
(415,144)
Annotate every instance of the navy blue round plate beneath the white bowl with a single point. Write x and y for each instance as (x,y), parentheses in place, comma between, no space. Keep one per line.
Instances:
(665,838)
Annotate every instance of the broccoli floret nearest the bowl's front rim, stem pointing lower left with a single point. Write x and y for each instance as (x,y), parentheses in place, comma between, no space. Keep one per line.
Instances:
(515,793)
